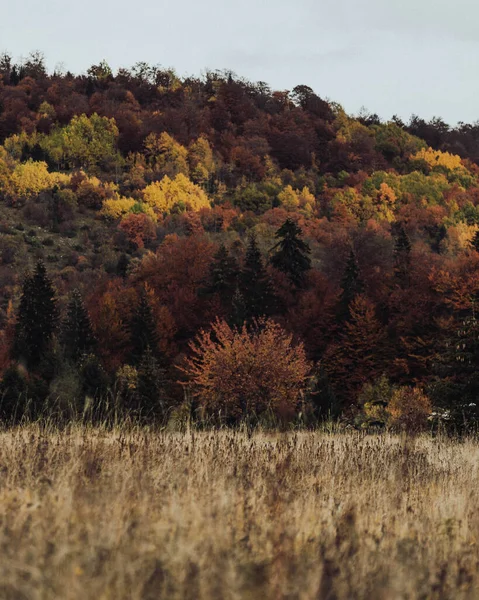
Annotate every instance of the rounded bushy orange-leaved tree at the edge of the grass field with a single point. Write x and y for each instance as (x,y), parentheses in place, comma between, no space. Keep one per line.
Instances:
(247,372)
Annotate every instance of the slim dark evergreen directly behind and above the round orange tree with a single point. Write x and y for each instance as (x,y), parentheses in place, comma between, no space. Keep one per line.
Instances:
(255,283)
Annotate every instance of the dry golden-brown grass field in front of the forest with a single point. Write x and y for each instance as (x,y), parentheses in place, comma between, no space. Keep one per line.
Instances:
(87,513)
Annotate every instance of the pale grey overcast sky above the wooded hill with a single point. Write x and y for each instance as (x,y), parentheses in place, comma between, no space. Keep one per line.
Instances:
(390,56)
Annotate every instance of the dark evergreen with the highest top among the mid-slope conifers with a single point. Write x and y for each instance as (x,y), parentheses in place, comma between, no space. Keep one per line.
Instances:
(291,253)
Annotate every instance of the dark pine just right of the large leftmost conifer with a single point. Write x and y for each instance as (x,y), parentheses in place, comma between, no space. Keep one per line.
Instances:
(77,333)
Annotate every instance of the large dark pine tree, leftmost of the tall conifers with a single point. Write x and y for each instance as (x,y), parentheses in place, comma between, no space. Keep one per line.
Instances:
(37,318)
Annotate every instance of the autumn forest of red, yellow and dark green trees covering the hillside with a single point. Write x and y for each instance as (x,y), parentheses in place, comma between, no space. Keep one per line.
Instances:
(208,249)
